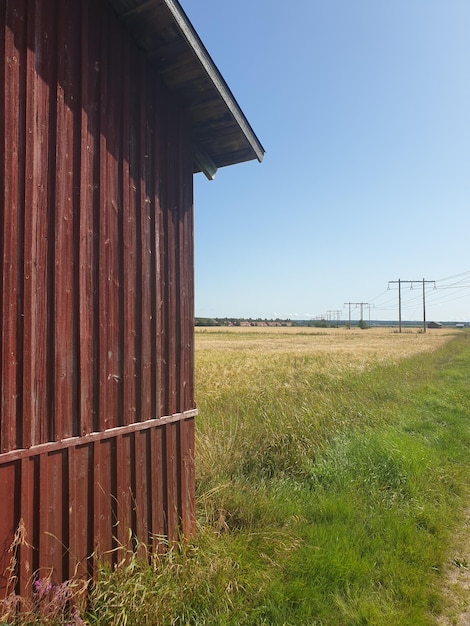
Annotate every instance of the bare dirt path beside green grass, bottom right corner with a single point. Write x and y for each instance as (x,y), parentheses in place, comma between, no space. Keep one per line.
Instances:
(457,579)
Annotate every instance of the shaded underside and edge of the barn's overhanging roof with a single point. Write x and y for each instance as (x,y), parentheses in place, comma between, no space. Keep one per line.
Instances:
(221,133)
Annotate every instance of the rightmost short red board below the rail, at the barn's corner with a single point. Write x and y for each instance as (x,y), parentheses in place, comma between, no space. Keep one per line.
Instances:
(188,513)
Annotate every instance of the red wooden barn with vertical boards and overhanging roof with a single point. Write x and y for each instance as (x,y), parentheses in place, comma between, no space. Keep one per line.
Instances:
(109,108)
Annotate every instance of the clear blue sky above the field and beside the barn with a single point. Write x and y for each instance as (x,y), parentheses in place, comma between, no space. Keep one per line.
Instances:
(363,108)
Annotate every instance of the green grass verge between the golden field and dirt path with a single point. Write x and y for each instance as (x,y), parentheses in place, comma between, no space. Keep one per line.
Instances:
(339,501)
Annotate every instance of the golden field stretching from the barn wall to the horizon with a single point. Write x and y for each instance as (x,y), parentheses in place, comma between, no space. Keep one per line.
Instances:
(254,385)
